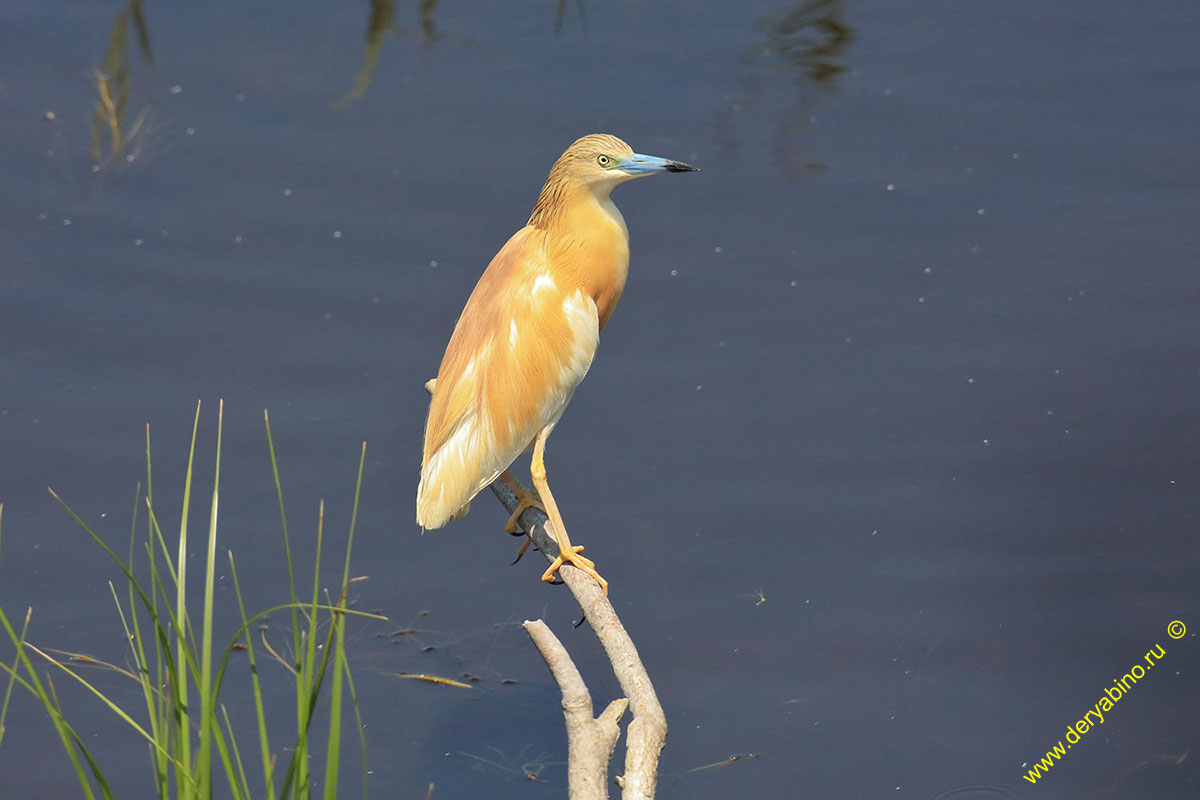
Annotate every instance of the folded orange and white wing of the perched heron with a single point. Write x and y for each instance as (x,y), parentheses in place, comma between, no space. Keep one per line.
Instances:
(523,345)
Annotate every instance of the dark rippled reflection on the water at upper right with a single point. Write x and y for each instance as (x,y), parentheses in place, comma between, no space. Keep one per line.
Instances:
(807,41)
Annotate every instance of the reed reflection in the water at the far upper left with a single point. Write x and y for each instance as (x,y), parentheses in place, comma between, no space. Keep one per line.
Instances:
(113,88)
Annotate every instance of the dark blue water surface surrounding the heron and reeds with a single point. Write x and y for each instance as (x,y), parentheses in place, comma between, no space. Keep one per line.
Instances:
(891,453)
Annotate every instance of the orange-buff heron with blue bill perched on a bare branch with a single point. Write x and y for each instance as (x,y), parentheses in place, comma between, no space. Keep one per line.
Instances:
(527,338)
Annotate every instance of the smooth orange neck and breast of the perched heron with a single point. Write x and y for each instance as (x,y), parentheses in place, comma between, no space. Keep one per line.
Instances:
(587,244)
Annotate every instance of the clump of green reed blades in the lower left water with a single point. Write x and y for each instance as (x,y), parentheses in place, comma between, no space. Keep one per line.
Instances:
(193,744)
